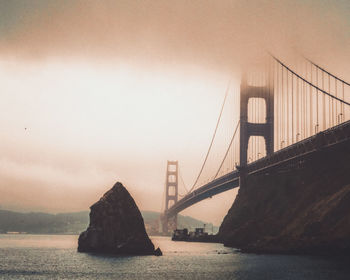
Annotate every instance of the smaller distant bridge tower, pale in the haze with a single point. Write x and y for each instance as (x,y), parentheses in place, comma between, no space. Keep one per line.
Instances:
(171,195)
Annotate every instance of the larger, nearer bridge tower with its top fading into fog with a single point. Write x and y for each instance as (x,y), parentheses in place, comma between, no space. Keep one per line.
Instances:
(248,129)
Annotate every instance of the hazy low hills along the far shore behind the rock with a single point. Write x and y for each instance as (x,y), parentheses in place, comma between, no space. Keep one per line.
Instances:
(76,222)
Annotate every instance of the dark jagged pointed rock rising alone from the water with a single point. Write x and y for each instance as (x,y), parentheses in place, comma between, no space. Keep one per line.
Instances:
(116,226)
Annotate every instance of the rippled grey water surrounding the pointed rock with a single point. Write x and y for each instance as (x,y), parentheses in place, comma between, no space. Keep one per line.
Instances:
(55,257)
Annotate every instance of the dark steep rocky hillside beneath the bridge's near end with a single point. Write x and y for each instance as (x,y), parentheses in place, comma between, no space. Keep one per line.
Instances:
(302,209)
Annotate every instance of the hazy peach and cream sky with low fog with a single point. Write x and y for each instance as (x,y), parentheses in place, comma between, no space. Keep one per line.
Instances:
(94,92)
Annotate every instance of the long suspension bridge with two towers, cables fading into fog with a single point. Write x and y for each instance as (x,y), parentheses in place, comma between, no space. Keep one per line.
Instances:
(286,115)
